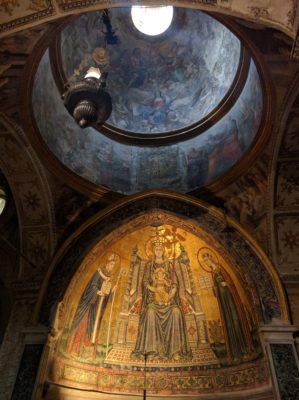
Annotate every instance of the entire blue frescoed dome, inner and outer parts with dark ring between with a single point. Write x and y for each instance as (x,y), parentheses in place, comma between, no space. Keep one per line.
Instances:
(187,104)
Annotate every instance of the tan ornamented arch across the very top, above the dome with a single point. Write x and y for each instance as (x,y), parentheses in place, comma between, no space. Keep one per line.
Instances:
(281,15)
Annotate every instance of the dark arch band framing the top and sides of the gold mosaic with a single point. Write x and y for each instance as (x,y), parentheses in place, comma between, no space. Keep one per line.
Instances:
(248,255)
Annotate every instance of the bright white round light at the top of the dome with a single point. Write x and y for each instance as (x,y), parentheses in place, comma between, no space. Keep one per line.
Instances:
(152,20)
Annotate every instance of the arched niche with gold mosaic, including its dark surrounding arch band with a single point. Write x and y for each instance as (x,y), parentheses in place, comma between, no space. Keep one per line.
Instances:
(192,314)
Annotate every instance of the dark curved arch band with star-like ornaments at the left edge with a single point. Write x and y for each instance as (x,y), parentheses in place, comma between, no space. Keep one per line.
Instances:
(32,197)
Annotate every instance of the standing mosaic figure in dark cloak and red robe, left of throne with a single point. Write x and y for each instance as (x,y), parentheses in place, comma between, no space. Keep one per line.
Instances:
(93,302)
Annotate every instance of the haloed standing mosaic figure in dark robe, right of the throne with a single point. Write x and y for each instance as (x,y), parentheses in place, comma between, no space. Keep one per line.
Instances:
(238,342)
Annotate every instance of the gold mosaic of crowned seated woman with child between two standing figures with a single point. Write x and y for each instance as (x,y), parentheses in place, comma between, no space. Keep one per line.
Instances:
(161,298)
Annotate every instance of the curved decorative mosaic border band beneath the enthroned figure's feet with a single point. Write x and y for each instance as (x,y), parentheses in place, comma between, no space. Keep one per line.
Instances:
(184,382)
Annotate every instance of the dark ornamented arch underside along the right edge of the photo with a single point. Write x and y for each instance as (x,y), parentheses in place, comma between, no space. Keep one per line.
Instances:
(283,199)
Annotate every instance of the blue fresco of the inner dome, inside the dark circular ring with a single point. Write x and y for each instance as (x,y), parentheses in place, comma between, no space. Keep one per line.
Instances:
(161,84)
